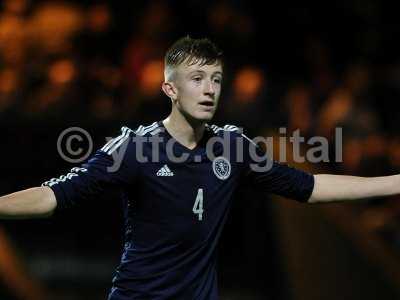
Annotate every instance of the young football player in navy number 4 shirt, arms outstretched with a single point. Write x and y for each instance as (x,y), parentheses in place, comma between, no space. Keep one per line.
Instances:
(177,178)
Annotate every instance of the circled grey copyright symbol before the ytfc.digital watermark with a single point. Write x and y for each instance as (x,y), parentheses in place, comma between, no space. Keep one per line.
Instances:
(74,145)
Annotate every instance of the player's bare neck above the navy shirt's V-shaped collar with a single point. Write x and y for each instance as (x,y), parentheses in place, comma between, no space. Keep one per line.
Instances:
(185,131)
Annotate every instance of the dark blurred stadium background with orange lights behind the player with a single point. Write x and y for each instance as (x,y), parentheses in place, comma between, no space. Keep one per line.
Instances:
(98,65)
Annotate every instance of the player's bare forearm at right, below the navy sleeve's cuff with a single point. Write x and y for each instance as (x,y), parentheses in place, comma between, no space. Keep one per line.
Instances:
(328,188)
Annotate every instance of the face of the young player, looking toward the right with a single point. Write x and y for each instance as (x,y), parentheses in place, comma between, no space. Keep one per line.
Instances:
(197,90)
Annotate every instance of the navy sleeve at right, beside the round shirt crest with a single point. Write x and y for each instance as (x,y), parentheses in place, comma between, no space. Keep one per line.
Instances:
(273,177)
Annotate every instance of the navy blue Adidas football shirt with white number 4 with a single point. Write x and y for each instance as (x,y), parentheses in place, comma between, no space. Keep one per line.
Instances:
(176,203)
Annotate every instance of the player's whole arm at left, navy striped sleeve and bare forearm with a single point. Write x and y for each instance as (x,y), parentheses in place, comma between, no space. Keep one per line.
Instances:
(80,184)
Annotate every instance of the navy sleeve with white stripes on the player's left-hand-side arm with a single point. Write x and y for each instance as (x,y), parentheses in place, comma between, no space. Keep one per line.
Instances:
(101,172)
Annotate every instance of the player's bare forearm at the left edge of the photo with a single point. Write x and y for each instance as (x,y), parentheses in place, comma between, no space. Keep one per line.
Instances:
(30,203)
